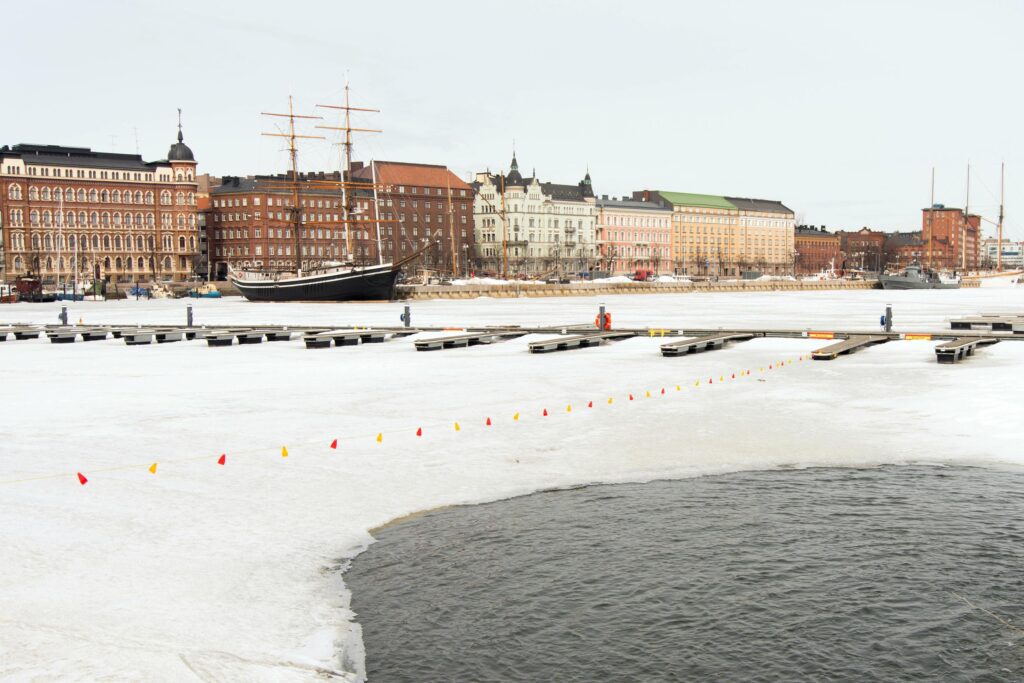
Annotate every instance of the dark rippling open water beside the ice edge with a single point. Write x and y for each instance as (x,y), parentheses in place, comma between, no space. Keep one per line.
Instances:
(822,575)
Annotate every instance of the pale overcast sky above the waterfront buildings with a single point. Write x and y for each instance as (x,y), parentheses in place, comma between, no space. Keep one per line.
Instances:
(840,110)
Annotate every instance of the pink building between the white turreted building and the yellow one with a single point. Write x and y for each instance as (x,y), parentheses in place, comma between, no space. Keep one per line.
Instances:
(634,236)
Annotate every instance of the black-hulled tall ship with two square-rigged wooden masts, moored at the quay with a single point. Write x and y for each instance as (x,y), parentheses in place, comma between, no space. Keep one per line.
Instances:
(326,281)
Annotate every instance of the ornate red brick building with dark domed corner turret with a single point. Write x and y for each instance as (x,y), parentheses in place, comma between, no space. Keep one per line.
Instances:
(102,215)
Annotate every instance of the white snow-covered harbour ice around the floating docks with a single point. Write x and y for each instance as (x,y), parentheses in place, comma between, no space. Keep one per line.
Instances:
(232,573)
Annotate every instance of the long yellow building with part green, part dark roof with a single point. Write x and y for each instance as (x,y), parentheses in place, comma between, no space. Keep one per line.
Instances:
(715,236)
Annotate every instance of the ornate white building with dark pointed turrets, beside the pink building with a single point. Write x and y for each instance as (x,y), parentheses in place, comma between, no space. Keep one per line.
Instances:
(525,227)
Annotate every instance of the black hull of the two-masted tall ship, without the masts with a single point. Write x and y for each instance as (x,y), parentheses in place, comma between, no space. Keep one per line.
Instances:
(370,284)
